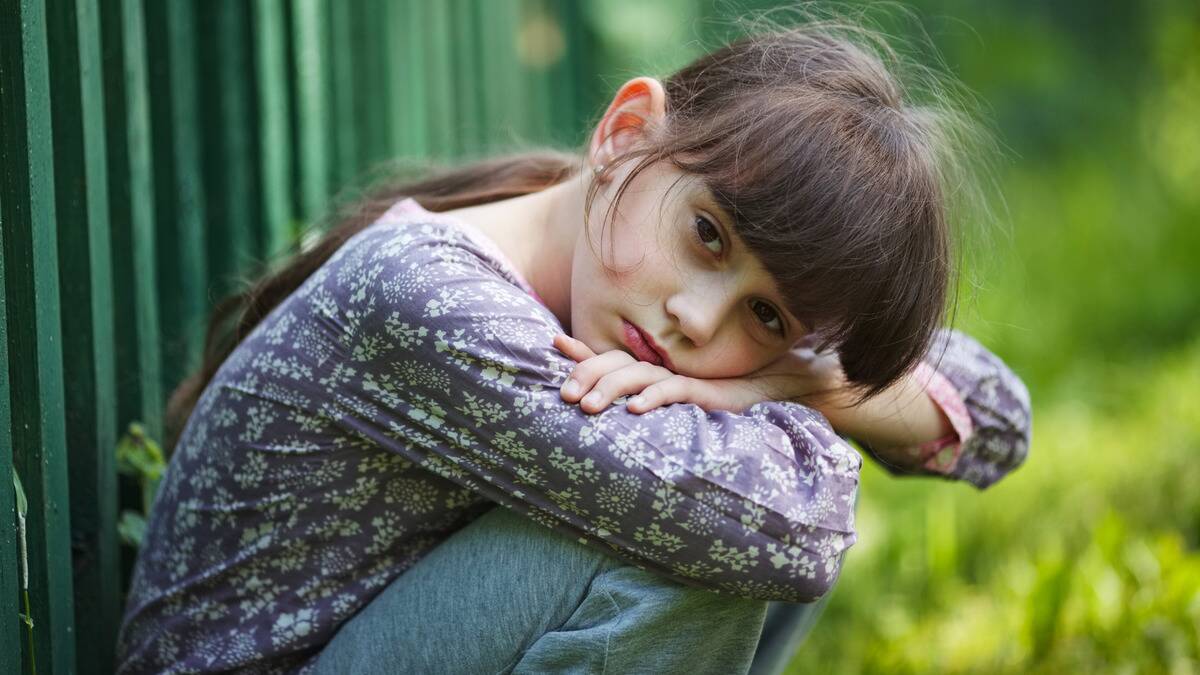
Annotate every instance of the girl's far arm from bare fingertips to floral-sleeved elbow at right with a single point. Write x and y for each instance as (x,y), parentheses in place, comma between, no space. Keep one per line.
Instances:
(962,414)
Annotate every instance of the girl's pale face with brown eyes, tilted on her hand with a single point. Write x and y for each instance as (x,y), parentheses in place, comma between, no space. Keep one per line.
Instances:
(681,277)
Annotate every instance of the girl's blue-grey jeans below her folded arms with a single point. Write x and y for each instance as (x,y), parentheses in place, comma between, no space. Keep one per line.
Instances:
(506,595)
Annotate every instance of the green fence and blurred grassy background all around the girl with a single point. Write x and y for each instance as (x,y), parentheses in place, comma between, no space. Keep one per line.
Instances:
(157,153)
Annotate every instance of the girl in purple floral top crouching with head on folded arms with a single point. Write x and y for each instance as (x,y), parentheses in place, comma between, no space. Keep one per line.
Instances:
(770,272)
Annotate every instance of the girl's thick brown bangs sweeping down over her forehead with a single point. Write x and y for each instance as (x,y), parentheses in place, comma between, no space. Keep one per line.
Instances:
(844,213)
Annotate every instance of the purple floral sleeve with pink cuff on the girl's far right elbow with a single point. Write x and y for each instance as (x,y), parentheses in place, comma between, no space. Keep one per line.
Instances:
(988,407)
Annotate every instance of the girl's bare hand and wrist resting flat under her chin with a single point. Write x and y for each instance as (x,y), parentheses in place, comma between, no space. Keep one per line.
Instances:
(601,379)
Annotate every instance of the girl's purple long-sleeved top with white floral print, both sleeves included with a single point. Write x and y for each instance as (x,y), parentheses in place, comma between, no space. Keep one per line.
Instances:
(411,385)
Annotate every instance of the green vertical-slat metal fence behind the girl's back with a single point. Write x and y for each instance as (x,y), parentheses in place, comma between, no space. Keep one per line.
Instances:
(151,151)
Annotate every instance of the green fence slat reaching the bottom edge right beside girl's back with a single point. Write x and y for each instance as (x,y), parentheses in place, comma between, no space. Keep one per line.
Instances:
(86,288)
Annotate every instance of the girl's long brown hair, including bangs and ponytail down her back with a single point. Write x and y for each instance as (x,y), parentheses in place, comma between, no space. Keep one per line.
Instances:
(836,181)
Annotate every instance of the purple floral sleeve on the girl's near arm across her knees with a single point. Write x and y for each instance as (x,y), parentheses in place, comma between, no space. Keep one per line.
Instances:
(457,372)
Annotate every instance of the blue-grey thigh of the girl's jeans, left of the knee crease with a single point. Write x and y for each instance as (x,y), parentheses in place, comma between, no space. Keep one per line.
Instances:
(473,605)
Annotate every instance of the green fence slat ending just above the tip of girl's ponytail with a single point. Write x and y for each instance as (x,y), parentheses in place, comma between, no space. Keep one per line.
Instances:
(179,192)
